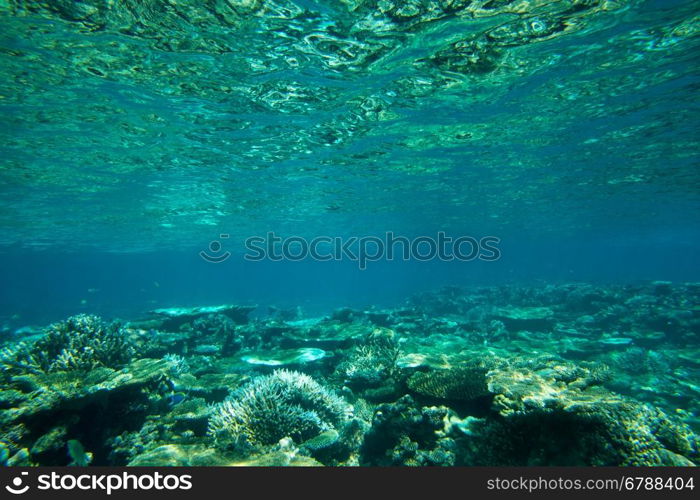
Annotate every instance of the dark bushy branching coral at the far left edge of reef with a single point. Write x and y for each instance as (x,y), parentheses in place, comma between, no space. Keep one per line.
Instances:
(80,343)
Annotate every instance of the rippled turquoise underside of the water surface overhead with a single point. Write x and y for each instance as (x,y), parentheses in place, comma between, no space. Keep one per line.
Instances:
(136,124)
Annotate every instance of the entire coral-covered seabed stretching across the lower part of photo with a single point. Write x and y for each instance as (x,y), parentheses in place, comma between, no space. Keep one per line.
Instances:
(556,375)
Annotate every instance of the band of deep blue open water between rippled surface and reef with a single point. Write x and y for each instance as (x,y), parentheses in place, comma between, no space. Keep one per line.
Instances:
(46,286)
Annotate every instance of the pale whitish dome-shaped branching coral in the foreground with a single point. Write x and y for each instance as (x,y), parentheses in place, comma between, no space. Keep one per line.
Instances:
(269,408)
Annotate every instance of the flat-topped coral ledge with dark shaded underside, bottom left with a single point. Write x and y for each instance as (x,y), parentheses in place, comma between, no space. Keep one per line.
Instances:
(42,412)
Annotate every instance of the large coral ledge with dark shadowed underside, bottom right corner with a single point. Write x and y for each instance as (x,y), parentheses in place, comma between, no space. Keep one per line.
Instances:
(553,411)
